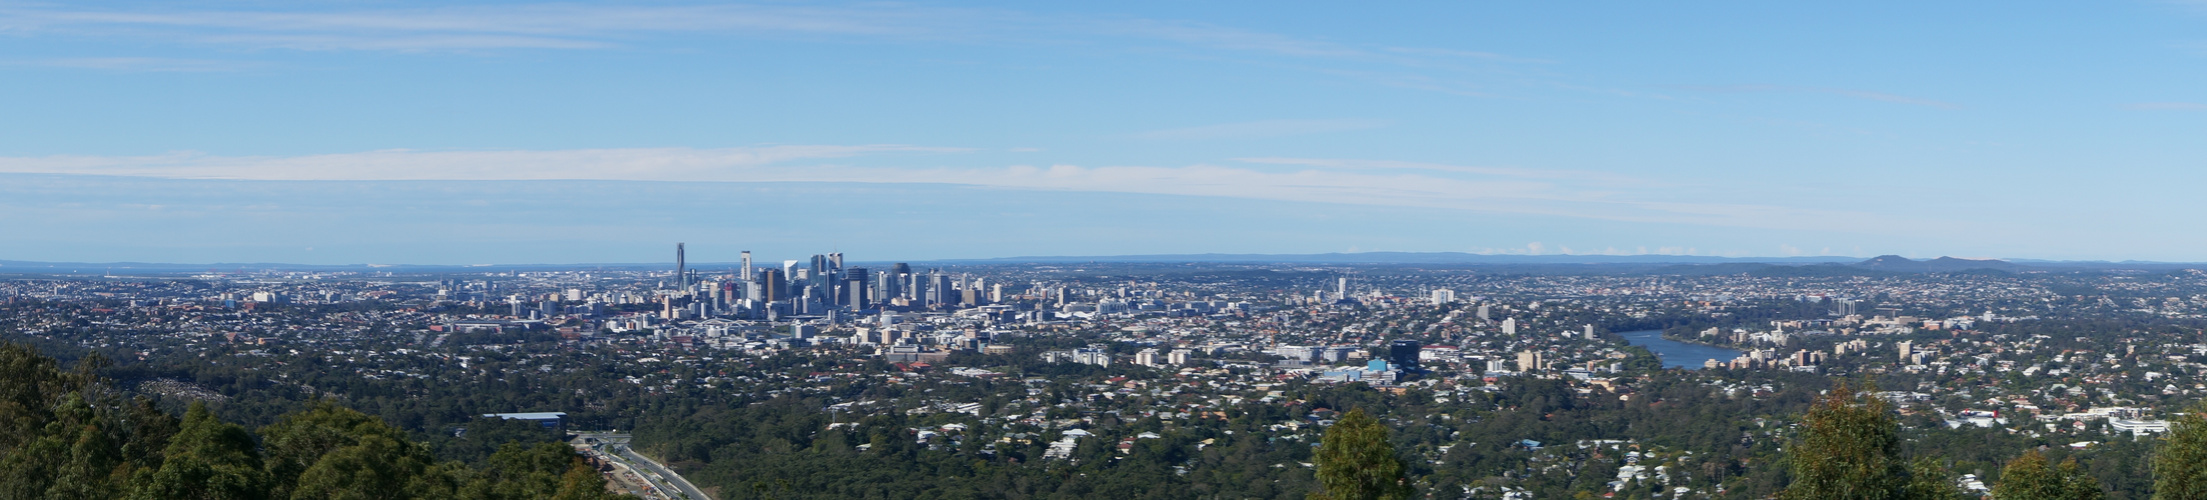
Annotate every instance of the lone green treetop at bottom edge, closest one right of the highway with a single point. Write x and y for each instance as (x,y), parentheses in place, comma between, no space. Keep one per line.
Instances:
(1358,464)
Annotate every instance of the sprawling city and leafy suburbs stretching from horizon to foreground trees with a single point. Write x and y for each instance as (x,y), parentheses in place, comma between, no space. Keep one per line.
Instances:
(1219,378)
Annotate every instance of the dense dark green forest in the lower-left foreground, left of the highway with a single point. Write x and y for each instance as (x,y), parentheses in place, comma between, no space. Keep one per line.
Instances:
(72,435)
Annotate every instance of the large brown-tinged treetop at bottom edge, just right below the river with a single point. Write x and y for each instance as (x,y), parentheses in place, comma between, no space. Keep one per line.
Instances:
(1848,448)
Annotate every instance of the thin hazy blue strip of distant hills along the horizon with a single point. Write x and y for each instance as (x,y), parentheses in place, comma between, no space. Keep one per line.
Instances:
(1696,265)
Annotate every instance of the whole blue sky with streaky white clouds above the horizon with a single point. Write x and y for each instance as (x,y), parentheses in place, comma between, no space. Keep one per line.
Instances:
(904,131)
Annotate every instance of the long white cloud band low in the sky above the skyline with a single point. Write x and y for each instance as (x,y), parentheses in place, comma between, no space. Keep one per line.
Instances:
(1321,182)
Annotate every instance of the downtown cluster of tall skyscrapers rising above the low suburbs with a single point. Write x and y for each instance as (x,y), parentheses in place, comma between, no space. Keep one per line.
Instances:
(818,287)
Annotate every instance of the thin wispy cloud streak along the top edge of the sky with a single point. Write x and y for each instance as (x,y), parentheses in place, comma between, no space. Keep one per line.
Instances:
(590,28)
